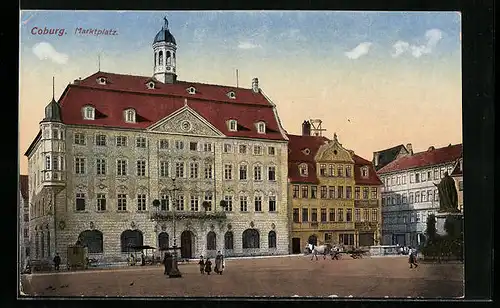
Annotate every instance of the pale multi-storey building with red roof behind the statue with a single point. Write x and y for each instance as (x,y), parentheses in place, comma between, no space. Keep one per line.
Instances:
(409,195)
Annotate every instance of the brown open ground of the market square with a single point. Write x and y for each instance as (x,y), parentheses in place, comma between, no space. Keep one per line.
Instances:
(286,276)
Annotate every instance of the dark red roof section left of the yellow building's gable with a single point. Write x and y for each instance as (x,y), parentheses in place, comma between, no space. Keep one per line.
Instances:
(296,146)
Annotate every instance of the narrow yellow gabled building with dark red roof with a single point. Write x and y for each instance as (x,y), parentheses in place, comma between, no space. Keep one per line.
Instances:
(334,195)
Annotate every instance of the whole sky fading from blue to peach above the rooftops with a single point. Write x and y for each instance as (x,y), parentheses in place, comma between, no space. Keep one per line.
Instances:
(377,79)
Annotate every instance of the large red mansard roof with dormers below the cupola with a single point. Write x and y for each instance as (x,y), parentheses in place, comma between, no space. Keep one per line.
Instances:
(152,105)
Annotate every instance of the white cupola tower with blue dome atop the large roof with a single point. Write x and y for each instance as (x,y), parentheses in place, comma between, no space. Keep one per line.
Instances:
(164,49)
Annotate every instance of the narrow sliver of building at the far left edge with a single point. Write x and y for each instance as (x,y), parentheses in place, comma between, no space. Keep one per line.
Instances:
(24,231)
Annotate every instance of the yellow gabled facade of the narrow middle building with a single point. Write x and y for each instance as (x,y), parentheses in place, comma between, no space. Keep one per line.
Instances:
(329,211)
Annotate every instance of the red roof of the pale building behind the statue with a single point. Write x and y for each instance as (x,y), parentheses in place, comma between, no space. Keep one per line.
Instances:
(427,158)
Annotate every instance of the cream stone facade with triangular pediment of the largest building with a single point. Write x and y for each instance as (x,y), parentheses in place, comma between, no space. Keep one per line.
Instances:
(55,214)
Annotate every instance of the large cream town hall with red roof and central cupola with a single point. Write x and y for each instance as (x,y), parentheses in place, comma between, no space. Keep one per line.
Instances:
(114,143)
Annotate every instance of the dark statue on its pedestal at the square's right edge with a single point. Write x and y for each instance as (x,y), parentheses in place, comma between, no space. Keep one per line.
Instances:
(449,219)
